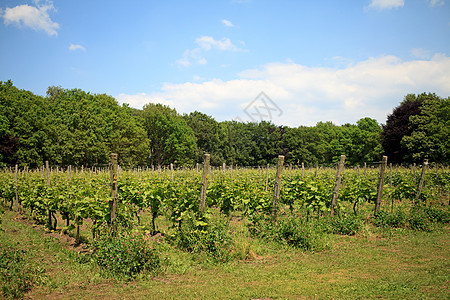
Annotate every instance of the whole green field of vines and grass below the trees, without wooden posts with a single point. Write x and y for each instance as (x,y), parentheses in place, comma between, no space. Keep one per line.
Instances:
(63,245)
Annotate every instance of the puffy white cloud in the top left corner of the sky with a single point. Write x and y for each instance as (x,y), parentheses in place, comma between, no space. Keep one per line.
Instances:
(35,17)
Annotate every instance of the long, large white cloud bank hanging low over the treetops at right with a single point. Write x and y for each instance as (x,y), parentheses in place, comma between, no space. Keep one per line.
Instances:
(307,95)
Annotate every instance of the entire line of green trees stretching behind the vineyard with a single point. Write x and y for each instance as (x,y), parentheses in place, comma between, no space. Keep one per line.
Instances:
(74,127)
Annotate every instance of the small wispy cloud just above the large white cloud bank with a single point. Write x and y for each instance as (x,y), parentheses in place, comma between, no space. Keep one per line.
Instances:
(206,43)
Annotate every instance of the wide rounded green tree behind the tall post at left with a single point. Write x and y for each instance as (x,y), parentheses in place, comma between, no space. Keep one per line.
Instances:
(85,128)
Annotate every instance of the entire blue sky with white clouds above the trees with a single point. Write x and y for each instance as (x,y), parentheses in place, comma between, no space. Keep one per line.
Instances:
(290,62)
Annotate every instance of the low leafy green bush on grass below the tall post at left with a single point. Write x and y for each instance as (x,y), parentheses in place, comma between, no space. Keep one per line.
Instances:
(126,255)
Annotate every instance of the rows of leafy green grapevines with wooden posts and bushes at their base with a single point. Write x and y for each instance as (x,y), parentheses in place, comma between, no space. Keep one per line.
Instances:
(194,209)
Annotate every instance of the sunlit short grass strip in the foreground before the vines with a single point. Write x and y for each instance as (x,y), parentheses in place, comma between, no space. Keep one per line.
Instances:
(382,263)
